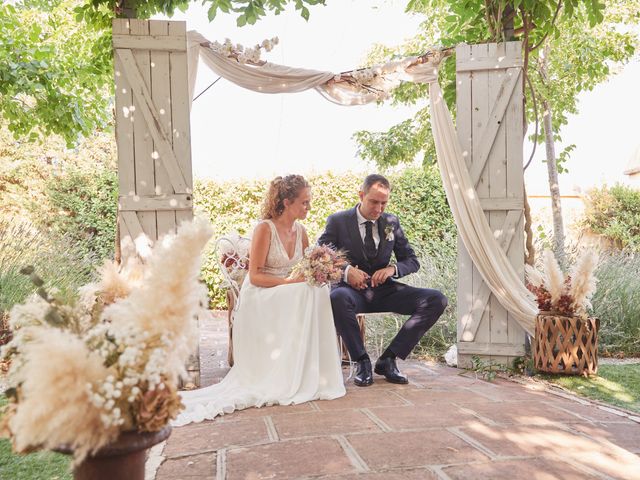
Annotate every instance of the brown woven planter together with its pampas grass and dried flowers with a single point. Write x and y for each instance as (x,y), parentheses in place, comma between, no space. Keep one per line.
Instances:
(566,338)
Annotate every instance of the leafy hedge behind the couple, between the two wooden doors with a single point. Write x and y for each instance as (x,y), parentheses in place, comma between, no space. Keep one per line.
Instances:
(417,198)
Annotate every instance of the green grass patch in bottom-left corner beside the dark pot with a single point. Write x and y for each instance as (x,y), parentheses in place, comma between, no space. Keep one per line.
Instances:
(35,466)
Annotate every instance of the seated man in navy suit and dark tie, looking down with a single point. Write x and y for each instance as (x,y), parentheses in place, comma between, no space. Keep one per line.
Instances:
(369,237)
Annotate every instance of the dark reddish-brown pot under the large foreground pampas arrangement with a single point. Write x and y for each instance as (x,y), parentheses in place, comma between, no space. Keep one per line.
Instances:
(122,459)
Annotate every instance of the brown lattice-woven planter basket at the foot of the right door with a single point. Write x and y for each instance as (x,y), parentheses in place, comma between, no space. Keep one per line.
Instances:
(567,345)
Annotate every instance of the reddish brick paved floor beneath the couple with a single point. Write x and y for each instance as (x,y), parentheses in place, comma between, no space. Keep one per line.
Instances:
(445,424)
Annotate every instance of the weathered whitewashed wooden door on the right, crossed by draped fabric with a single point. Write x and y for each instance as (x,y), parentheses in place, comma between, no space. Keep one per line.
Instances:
(489,124)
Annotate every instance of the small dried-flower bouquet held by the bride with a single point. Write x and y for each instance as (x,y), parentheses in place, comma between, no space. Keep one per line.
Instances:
(321,265)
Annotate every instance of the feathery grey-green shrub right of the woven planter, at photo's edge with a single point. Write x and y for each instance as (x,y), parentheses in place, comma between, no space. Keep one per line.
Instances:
(617,302)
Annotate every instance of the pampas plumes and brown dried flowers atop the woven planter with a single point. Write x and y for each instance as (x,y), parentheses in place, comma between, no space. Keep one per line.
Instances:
(567,294)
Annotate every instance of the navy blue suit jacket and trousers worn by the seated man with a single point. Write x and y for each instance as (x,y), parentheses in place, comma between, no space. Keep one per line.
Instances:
(424,305)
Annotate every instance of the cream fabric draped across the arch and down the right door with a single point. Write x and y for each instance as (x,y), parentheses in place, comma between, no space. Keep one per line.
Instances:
(477,236)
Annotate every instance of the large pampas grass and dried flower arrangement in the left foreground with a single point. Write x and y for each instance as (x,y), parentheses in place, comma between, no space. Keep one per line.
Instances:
(83,372)
